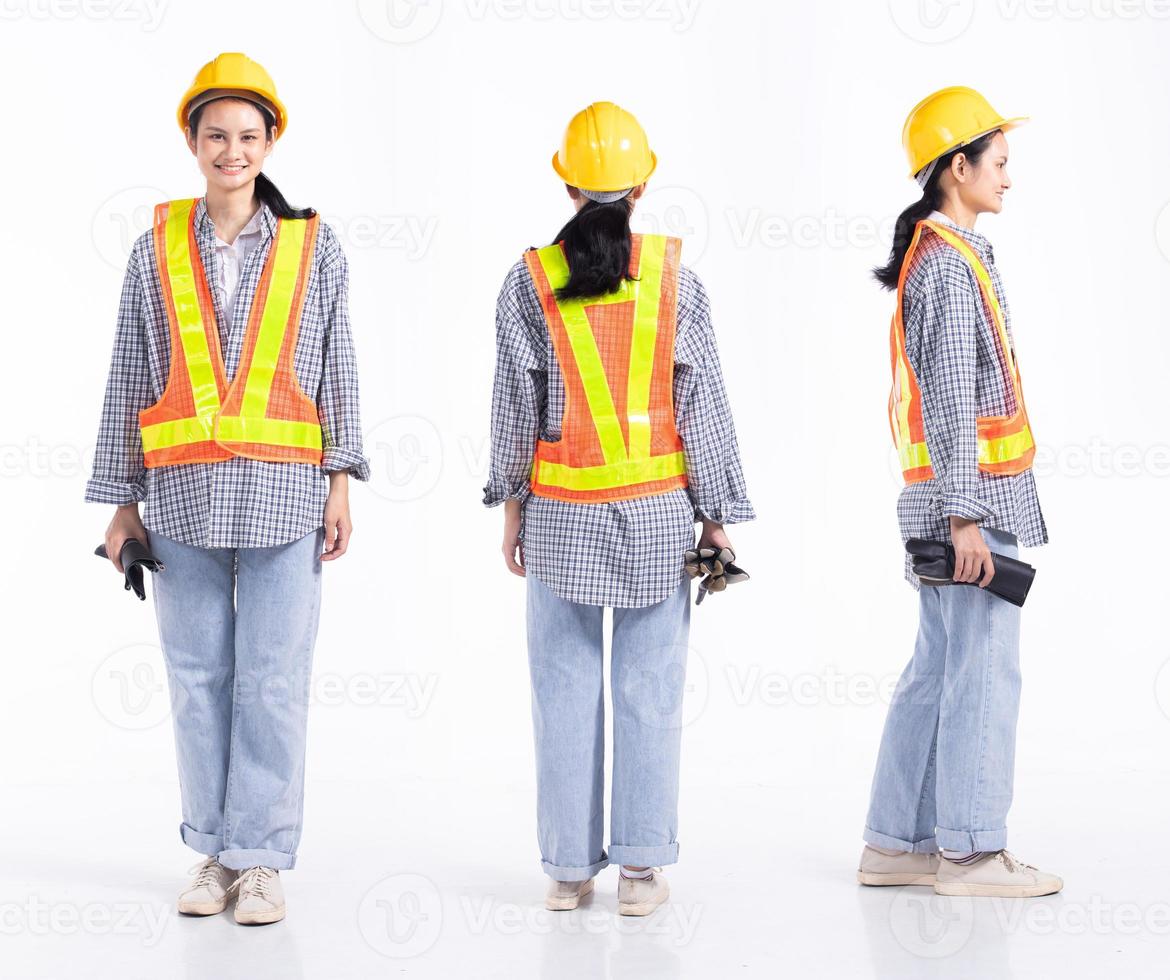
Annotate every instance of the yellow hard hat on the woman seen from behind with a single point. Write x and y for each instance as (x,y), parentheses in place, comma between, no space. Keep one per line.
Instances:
(604,149)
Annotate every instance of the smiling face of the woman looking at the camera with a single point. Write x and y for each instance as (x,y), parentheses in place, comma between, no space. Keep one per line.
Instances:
(231,144)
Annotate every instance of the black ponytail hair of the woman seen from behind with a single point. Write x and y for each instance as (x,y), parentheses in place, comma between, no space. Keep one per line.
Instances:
(597,249)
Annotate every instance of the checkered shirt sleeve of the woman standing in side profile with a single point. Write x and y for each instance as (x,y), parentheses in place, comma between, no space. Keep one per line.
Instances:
(948,318)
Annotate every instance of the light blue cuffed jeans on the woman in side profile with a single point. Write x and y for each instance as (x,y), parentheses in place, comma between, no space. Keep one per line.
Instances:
(947,760)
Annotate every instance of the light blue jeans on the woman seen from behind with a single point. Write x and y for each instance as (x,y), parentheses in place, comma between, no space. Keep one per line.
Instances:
(649,660)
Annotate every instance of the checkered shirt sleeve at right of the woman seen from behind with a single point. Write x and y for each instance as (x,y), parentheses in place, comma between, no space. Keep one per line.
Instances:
(715,481)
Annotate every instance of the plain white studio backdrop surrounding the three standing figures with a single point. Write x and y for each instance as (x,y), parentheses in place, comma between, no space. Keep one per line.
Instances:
(423,132)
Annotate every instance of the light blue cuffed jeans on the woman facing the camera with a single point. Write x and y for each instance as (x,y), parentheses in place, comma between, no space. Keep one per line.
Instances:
(238,629)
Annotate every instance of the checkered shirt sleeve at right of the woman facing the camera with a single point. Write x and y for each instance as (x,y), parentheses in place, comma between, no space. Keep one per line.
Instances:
(339,403)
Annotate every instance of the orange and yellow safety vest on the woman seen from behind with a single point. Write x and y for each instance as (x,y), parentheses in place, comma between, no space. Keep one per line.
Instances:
(616,354)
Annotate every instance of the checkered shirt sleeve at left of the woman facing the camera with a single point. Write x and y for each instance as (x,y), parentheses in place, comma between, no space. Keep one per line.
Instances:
(120,472)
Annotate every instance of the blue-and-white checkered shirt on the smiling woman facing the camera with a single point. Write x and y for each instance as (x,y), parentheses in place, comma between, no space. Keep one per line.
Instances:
(239,502)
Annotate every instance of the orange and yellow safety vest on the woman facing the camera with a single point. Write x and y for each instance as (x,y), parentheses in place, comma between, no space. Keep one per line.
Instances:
(263,413)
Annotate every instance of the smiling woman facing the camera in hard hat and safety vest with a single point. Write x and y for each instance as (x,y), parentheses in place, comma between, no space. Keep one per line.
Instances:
(232,409)
